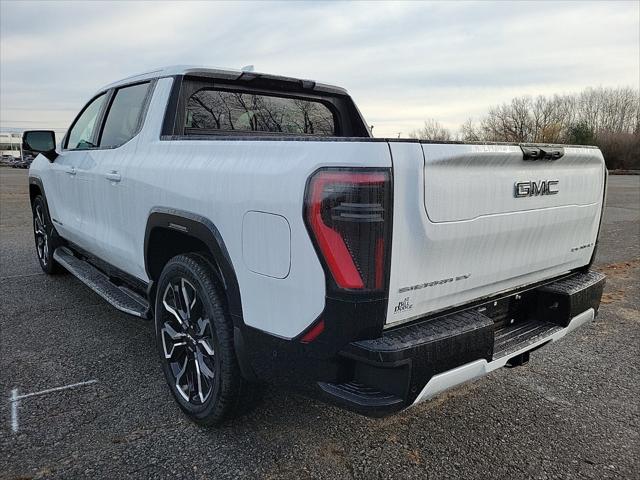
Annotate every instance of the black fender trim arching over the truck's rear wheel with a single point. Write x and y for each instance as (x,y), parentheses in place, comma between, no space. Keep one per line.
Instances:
(204,230)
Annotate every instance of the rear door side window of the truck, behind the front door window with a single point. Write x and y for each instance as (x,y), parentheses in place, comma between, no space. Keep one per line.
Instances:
(123,118)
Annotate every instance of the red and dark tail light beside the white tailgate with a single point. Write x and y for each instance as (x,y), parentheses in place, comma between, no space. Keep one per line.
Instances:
(348,214)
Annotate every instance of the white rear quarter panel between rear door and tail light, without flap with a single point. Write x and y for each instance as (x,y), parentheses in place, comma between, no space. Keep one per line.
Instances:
(222,180)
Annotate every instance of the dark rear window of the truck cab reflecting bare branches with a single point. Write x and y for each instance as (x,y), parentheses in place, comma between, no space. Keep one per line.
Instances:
(210,110)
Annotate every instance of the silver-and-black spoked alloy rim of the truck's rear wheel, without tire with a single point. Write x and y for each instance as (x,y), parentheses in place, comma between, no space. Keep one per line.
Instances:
(187,341)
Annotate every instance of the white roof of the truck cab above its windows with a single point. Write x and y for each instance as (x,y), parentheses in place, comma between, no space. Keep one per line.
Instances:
(221,73)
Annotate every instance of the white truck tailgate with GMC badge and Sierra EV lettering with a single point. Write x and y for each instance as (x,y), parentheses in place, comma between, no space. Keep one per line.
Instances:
(472,221)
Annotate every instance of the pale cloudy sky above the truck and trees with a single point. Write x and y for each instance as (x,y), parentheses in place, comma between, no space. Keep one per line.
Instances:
(402,62)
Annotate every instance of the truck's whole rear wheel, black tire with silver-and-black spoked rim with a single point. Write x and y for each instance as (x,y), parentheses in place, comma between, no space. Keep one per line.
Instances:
(194,338)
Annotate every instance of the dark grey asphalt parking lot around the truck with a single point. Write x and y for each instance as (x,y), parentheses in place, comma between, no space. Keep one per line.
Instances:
(572,412)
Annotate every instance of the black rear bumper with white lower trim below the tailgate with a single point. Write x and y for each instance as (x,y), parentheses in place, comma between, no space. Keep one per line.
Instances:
(413,363)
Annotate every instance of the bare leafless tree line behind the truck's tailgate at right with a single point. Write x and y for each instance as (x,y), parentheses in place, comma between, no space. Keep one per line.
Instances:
(606,117)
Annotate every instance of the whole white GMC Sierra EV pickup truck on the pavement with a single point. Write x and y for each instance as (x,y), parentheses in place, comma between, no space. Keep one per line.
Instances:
(272,239)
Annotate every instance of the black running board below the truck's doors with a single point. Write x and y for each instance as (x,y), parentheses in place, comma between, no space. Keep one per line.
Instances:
(120,297)
